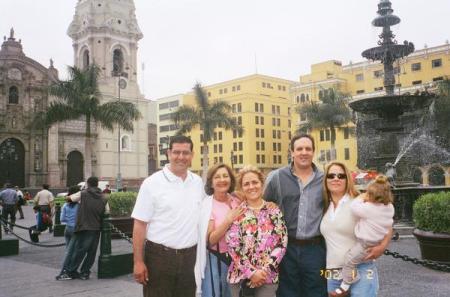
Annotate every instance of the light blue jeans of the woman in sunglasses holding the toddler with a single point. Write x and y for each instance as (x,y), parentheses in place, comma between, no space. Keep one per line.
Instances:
(367,286)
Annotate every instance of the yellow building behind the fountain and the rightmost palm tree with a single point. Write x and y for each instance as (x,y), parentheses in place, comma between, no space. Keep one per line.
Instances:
(420,70)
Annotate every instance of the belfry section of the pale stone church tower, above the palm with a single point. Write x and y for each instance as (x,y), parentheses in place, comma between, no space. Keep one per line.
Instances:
(106,33)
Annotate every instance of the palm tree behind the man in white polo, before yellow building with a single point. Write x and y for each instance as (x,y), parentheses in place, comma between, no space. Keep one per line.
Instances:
(208,116)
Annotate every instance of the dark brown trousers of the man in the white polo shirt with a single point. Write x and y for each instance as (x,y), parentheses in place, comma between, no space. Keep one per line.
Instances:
(171,272)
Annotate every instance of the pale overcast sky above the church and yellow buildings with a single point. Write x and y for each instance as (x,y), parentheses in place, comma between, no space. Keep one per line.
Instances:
(212,41)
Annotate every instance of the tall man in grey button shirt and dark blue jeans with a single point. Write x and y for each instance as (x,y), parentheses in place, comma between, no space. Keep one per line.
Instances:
(297,189)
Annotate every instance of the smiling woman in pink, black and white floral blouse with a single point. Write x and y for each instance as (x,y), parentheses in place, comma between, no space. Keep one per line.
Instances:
(256,240)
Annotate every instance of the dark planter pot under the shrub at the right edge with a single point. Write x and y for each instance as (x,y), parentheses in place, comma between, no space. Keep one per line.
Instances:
(434,246)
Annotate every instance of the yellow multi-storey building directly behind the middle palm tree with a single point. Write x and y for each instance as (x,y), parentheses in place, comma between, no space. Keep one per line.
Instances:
(262,105)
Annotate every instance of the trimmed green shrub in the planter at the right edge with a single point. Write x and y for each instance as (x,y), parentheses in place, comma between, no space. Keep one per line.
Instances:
(431,212)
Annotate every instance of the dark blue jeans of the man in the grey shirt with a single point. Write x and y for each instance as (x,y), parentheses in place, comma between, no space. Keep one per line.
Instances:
(300,271)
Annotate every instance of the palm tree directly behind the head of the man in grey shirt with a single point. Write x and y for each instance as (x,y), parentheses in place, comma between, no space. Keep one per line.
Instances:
(330,112)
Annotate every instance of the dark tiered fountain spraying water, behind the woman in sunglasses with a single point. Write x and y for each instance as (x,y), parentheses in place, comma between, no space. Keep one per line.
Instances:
(395,131)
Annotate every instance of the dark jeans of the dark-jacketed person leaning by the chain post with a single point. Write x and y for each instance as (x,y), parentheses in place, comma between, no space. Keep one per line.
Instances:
(83,245)
